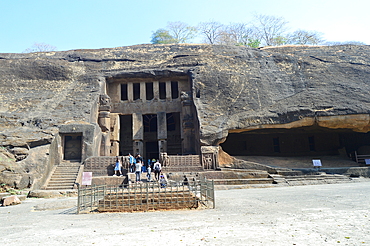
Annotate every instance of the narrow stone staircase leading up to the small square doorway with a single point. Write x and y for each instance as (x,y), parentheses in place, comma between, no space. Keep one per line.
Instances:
(64,176)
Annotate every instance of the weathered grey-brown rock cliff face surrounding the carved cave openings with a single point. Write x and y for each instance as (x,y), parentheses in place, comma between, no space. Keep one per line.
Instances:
(234,89)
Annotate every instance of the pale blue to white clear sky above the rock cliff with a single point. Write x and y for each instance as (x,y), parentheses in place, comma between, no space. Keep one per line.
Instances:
(94,24)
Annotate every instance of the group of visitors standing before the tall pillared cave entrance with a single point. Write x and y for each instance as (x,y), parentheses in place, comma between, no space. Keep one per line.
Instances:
(137,166)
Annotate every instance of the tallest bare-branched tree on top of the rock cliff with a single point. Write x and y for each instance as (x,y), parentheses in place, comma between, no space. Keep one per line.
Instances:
(270,29)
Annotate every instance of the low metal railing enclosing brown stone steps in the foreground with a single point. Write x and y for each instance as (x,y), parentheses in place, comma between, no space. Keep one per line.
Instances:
(146,197)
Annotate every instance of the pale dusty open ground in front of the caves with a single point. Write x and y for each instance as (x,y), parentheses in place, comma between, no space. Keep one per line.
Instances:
(334,214)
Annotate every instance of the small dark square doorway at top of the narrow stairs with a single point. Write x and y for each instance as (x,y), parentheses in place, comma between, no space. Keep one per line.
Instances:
(73,146)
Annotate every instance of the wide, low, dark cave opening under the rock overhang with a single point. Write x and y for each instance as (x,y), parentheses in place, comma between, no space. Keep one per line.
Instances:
(304,141)
